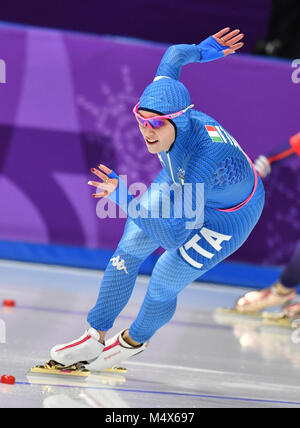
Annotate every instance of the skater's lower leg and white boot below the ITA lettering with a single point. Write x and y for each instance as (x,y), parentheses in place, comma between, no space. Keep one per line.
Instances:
(169,276)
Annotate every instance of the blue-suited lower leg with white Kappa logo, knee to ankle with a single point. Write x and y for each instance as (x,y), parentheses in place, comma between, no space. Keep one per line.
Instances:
(120,276)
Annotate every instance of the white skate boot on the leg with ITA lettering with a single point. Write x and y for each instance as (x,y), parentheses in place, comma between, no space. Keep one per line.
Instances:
(116,350)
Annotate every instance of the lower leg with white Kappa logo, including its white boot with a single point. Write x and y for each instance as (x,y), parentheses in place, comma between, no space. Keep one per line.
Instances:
(116,288)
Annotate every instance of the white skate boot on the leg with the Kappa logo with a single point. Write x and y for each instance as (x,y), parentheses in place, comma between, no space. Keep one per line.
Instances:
(86,348)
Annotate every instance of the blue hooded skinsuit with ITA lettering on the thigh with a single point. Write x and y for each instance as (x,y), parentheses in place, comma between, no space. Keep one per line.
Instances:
(206,161)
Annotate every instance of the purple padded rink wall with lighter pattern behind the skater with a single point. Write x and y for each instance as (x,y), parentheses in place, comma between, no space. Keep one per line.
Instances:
(67,106)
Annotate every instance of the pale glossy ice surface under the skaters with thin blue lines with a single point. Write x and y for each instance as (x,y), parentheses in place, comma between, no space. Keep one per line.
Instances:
(197,360)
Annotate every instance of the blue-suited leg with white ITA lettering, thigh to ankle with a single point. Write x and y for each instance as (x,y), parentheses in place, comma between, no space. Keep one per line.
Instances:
(222,234)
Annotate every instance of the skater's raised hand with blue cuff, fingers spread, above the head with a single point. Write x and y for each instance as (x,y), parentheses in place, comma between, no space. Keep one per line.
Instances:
(220,44)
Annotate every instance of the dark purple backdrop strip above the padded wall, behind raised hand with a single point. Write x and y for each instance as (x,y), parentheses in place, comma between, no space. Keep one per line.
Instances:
(163,21)
